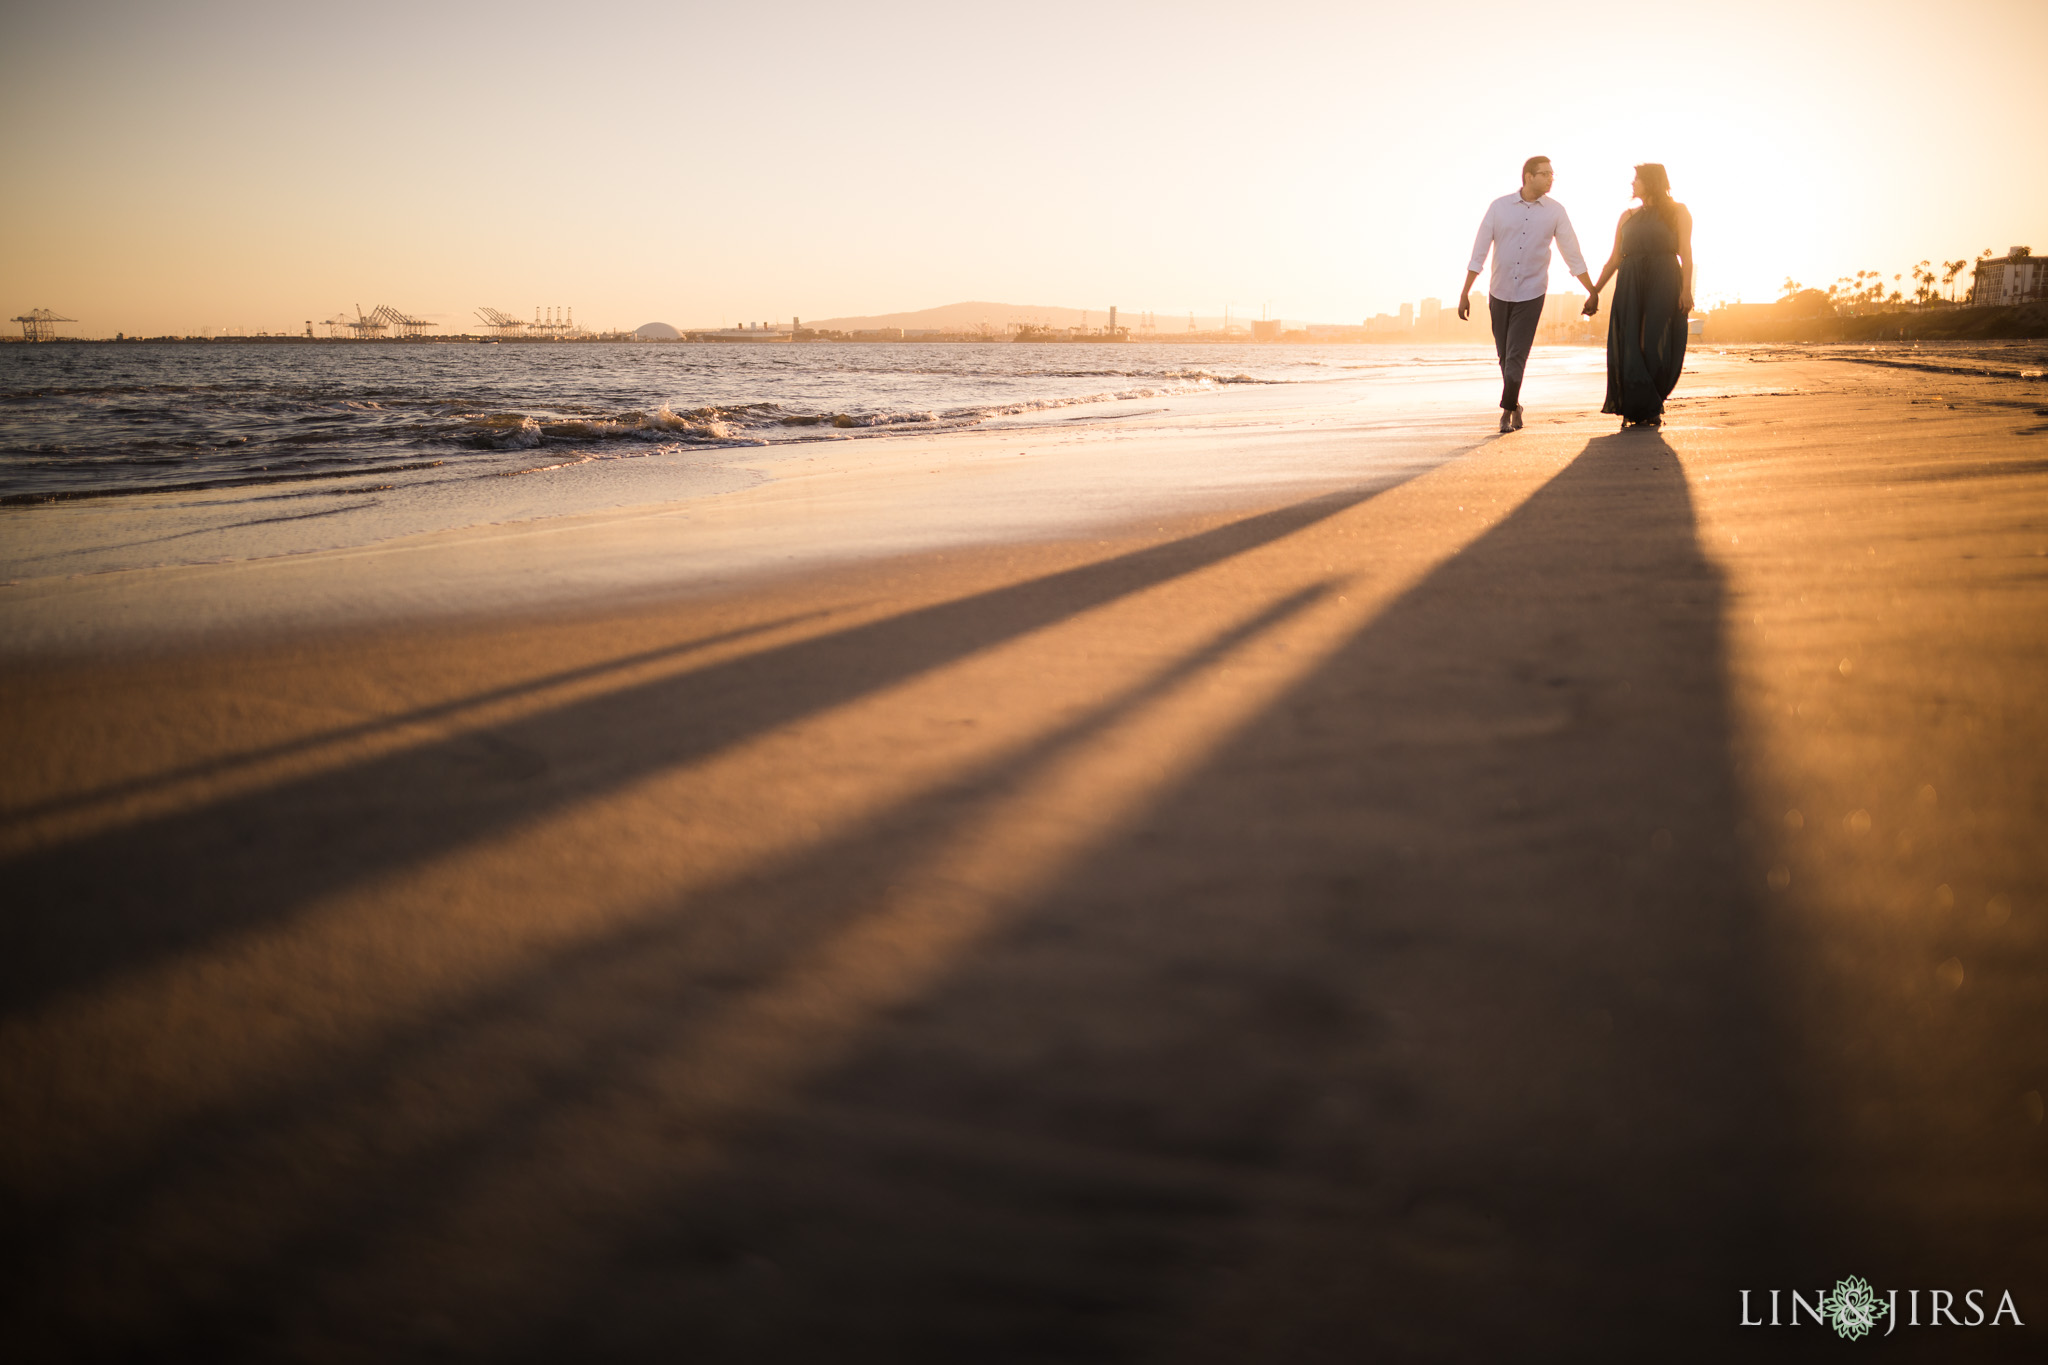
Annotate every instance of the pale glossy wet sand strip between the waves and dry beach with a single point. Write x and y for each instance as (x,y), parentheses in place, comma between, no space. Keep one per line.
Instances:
(781,509)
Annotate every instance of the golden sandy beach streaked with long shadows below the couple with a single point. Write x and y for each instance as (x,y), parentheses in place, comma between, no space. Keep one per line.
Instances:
(1232,881)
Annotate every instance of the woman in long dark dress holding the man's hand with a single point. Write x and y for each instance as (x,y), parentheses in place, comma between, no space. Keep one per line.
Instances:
(1652,300)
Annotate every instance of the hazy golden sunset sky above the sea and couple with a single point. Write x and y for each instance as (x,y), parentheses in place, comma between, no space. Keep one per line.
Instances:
(179,167)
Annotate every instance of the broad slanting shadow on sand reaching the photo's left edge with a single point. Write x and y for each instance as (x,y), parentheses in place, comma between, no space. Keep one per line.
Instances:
(130,895)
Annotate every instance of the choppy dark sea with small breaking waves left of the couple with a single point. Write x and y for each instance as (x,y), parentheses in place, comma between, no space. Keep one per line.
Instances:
(87,423)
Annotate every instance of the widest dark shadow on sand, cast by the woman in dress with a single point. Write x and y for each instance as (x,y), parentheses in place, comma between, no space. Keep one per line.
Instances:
(1431,1018)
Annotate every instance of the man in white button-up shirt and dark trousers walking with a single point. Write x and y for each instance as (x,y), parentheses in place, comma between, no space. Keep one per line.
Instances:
(1519,230)
